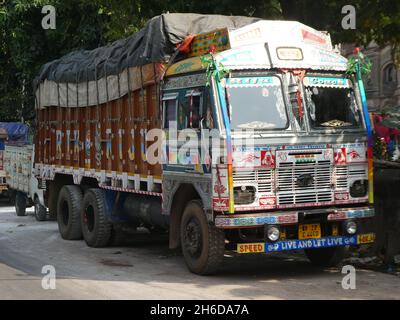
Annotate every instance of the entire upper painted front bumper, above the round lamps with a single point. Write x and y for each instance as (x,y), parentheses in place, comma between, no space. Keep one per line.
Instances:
(290,217)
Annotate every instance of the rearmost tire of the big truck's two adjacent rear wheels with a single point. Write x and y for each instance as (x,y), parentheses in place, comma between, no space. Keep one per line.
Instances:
(69,206)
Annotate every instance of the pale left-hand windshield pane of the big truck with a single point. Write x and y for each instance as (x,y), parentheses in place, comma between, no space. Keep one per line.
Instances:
(256,103)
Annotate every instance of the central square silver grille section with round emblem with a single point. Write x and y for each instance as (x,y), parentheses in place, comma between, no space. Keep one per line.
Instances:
(291,192)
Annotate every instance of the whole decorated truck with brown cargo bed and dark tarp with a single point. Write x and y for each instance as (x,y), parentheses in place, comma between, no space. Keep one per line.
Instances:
(229,133)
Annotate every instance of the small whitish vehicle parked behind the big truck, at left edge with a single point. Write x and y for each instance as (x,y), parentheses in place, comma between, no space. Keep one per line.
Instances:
(18,162)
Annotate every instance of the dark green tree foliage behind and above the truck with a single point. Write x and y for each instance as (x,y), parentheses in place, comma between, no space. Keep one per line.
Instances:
(87,24)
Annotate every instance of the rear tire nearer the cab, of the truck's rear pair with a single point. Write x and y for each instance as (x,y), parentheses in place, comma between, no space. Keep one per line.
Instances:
(96,228)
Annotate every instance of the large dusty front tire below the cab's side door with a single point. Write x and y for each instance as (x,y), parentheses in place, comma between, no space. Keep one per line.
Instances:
(203,244)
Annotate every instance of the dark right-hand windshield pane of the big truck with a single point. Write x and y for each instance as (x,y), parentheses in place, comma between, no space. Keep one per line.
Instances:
(331,103)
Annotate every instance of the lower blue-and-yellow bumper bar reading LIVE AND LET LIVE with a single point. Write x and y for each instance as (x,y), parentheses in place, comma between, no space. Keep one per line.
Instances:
(287,245)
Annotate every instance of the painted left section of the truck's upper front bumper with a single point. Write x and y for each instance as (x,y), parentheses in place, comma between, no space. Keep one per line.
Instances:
(250,221)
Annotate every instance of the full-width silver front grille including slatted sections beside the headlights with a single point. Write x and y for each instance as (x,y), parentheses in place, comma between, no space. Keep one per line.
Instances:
(328,180)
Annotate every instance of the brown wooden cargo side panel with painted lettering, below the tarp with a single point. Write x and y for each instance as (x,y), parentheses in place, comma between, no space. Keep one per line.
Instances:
(110,137)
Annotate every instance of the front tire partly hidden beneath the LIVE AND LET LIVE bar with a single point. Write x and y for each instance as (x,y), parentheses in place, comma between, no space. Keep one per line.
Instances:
(325,257)
